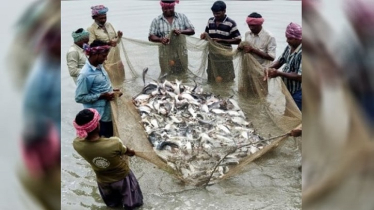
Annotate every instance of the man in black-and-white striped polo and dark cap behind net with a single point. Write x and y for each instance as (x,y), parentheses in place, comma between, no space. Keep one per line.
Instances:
(224,32)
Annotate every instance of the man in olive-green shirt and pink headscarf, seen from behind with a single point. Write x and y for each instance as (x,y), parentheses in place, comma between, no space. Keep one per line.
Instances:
(117,184)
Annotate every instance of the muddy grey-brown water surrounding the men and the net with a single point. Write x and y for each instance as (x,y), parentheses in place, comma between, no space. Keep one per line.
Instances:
(271,182)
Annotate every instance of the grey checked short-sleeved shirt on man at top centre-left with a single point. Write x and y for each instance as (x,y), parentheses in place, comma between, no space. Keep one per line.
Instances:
(161,27)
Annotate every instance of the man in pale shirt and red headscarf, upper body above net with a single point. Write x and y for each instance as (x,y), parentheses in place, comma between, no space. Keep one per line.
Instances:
(262,43)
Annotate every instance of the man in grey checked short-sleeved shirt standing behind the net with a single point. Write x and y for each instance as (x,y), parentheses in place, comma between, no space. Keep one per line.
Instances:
(173,55)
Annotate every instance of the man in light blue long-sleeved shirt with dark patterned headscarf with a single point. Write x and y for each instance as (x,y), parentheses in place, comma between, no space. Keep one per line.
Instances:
(94,89)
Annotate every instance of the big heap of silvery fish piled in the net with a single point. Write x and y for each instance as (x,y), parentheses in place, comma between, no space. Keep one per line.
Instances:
(191,130)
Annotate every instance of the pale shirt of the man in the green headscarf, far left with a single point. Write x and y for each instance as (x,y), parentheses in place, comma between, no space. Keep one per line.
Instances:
(75,59)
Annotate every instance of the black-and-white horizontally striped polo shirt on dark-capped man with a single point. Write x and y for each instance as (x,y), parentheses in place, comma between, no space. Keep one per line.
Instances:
(225,30)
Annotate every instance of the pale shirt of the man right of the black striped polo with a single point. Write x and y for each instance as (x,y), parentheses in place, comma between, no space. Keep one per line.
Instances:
(263,41)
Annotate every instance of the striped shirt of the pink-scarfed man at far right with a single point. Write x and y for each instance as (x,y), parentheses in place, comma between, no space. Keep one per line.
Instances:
(293,65)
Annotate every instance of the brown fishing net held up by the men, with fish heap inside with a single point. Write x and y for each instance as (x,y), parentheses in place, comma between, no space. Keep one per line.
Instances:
(160,77)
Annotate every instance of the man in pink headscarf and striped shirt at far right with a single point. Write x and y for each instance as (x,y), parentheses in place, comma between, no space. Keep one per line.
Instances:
(291,59)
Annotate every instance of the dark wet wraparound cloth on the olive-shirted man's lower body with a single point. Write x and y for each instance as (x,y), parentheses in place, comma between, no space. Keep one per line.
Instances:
(125,193)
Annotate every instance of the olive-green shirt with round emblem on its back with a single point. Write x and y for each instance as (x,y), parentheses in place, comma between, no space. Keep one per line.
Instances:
(105,157)
